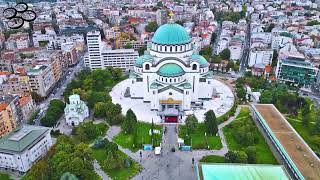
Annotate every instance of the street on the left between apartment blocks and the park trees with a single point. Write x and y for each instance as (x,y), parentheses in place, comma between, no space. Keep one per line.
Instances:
(58,90)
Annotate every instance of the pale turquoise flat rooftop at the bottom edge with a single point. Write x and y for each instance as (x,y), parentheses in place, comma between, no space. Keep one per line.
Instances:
(241,172)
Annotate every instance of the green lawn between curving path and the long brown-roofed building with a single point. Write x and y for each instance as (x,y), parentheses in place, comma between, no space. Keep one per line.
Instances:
(264,154)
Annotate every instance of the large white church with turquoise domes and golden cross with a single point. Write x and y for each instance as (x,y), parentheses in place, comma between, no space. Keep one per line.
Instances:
(171,75)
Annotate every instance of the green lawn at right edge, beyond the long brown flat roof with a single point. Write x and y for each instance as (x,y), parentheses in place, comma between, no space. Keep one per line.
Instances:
(305,132)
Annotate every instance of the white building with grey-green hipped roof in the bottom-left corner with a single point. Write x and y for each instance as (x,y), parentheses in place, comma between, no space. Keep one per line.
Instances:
(21,148)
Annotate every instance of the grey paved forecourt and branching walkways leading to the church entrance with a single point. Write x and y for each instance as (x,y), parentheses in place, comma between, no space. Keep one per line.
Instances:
(170,164)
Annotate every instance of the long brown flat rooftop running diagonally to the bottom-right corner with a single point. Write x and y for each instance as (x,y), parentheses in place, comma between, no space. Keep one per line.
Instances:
(300,153)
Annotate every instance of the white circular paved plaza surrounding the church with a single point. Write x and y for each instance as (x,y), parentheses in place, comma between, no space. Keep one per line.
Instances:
(220,104)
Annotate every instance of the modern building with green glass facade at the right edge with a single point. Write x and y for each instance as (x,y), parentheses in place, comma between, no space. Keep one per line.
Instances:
(296,70)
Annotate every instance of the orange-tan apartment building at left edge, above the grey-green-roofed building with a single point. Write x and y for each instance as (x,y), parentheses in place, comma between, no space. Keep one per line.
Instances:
(10,114)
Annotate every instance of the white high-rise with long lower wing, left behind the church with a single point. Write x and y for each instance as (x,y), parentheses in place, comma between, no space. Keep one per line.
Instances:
(99,57)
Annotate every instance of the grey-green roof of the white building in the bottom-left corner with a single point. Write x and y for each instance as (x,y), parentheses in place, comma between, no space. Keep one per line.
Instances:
(21,138)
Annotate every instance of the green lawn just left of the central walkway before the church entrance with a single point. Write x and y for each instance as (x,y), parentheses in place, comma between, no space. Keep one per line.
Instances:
(126,140)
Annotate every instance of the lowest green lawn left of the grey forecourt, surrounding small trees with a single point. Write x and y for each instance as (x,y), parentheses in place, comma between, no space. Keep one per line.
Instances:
(121,174)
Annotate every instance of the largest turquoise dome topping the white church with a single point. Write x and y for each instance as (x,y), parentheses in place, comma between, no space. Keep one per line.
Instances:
(171,34)
